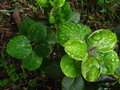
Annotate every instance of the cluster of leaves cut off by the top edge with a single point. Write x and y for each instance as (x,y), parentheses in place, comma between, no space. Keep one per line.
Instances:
(58,11)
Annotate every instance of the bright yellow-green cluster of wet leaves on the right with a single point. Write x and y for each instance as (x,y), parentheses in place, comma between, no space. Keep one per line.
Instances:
(95,50)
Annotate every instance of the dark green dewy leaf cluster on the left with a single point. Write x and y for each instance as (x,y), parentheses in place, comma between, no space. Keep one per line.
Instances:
(31,45)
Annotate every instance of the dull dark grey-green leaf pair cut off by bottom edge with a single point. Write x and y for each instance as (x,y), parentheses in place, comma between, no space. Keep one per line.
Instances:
(72,83)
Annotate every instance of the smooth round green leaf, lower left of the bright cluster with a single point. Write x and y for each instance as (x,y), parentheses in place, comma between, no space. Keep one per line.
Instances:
(70,67)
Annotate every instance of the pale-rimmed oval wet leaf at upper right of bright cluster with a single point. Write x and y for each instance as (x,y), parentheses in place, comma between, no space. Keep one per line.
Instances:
(104,40)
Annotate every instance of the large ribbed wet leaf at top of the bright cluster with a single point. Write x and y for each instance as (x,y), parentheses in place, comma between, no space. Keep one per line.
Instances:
(70,30)
